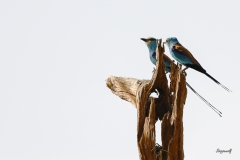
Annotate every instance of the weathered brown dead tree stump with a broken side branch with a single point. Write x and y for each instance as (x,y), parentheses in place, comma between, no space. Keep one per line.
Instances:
(167,107)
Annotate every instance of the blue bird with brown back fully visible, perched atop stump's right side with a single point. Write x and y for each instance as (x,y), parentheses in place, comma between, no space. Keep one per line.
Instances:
(183,56)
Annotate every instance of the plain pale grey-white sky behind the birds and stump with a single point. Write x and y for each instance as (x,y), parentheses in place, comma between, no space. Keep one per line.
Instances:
(56,55)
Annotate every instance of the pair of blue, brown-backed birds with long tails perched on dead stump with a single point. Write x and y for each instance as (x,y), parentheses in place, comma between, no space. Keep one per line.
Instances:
(184,57)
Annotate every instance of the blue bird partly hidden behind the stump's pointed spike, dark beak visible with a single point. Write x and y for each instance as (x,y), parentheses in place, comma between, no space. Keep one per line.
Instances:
(152,46)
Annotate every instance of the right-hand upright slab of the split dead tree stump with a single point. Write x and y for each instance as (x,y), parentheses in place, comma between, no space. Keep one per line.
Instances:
(172,124)
